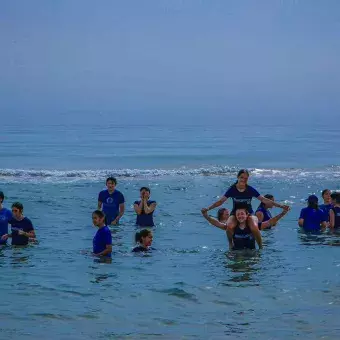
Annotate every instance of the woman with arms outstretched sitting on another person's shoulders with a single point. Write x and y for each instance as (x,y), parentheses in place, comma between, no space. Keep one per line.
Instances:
(242,193)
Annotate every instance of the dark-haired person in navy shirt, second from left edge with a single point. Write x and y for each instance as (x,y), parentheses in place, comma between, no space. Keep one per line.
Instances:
(22,227)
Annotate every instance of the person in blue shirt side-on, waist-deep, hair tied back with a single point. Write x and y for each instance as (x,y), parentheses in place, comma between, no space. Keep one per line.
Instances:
(102,241)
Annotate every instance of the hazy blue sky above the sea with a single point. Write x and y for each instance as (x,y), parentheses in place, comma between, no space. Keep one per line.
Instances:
(163,60)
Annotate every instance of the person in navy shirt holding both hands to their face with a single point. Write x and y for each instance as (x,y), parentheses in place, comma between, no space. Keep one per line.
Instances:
(144,209)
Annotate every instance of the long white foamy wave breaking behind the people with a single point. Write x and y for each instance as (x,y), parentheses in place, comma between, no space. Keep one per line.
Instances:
(21,175)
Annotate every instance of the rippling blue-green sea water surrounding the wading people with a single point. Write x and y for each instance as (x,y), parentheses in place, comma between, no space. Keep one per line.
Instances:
(191,287)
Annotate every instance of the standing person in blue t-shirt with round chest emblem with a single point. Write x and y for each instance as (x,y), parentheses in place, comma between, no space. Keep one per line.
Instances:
(111,202)
